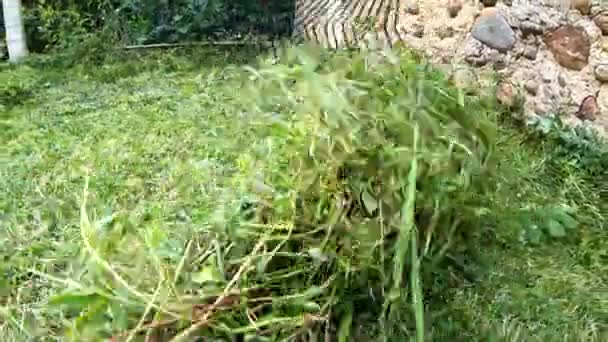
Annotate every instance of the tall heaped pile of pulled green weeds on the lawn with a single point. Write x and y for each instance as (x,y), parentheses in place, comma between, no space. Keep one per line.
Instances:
(369,180)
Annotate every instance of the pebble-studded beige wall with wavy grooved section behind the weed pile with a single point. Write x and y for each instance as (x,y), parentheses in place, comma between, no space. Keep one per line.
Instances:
(552,54)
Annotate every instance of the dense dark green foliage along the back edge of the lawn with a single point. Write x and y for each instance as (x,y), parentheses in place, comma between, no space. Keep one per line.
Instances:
(64,23)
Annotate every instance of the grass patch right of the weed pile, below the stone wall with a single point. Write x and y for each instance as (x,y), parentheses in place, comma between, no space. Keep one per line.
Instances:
(551,290)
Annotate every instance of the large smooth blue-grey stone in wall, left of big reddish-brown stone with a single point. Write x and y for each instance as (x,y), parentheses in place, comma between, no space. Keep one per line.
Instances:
(495,32)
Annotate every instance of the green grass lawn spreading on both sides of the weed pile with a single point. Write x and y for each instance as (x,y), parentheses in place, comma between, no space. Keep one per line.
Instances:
(153,143)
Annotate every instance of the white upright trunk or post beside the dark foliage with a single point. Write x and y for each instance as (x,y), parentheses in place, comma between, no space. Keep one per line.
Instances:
(15,34)
